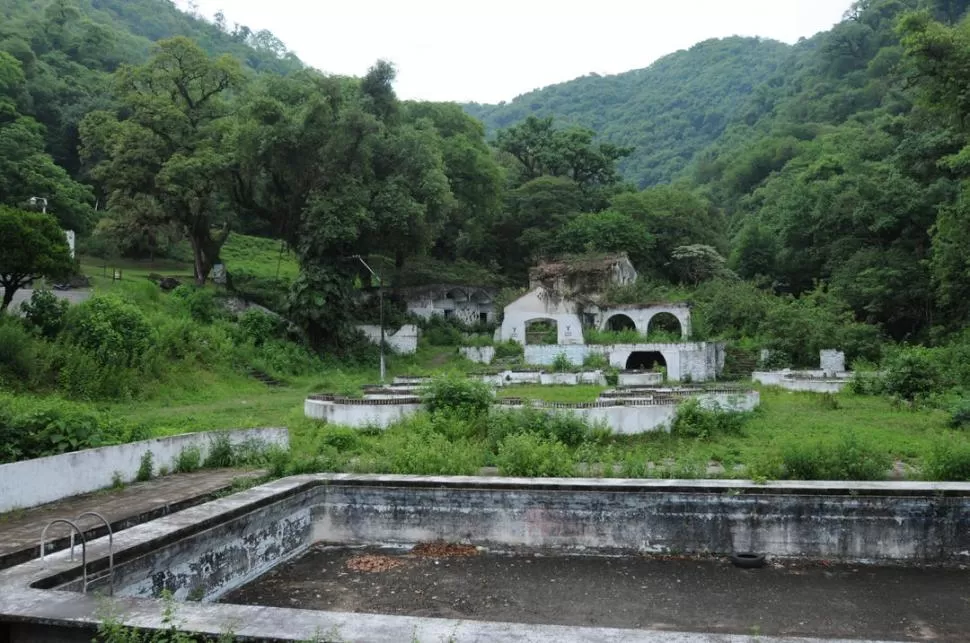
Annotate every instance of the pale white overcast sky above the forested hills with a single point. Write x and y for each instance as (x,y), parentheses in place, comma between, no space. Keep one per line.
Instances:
(494,50)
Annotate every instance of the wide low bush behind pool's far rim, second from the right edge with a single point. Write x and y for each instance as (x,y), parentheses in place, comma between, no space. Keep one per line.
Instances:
(848,459)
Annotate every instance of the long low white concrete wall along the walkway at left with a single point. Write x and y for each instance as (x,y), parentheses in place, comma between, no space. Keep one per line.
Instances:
(42,480)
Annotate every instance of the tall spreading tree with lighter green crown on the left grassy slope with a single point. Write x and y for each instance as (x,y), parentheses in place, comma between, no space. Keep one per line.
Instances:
(171,148)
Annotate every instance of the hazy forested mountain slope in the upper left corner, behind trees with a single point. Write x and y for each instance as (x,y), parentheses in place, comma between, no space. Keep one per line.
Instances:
(67,50)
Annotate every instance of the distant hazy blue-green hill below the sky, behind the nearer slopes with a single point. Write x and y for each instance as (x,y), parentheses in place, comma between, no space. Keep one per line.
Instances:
(668,111)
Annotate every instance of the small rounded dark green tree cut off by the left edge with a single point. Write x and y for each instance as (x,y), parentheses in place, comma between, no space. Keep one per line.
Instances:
(32,246)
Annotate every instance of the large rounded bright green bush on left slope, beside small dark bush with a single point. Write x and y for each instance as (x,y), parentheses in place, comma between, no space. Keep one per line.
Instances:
(113,331)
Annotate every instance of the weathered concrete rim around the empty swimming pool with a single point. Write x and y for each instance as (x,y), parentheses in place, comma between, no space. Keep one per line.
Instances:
(21,604)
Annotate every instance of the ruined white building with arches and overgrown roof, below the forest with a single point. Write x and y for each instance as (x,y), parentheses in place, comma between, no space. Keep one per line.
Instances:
(567,297)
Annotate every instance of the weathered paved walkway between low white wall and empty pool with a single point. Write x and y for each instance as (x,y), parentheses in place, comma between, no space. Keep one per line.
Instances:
(139,502)
